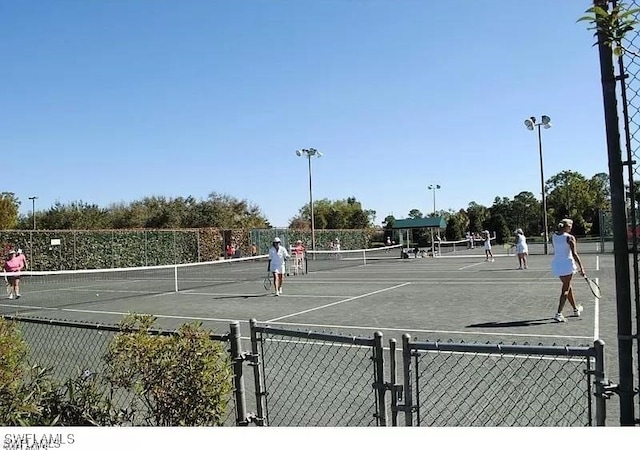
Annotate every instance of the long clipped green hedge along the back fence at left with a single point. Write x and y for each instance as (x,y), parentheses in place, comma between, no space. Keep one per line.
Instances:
(102,249)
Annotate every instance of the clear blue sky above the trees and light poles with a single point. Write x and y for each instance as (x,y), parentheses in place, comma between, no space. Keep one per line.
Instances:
(112,101)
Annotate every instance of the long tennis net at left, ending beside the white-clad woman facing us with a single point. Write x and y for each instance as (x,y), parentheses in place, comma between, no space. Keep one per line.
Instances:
(69,287)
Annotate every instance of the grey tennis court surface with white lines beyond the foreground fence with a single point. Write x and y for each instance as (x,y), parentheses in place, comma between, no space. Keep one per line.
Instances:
(455,297)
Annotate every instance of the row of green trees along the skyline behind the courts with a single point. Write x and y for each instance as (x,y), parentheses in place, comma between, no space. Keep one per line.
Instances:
(569,194)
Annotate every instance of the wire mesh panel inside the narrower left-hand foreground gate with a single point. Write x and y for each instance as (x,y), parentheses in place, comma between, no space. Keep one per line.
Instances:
(317,383)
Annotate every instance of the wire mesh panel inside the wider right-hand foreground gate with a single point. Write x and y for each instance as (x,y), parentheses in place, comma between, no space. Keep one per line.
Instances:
(477,389)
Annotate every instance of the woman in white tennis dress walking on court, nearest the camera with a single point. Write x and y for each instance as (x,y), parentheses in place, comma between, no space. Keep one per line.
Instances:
(563,265)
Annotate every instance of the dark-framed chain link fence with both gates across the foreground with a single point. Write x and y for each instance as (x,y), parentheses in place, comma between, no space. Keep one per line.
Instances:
(307,378)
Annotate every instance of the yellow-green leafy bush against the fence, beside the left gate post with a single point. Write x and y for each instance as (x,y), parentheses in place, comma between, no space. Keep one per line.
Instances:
(181,379)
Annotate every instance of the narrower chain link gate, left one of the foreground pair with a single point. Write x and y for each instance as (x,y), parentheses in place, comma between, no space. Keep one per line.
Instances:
(307,378)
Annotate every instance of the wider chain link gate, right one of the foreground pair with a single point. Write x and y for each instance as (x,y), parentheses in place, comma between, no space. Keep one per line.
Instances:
(457,384)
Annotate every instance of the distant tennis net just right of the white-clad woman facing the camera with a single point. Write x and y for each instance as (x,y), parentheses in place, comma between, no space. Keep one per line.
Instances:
(316,260)
